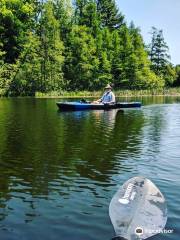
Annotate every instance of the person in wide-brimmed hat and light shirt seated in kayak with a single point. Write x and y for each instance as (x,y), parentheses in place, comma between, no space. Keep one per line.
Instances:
(108,96)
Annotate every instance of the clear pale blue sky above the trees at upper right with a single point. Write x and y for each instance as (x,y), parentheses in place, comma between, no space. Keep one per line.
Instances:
(162,14)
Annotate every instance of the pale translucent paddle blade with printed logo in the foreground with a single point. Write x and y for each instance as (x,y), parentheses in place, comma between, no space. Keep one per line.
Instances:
(138,210)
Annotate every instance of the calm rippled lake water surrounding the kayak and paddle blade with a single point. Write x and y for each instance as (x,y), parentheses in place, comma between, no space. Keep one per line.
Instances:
(59,171)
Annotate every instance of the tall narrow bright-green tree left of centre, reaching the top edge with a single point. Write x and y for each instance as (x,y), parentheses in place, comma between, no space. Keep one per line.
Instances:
(51,49)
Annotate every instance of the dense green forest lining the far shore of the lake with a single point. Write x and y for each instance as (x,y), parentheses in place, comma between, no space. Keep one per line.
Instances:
(64,45)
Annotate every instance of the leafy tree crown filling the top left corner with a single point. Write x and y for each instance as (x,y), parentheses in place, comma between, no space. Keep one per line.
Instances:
(15,19)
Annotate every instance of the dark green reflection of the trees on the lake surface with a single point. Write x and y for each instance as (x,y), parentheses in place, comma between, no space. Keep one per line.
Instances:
(41,153)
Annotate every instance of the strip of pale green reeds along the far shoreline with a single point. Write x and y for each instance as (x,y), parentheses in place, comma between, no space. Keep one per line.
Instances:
(118,93)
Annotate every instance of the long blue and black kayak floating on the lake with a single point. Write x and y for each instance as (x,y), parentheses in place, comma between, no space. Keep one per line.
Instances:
(79,106)
